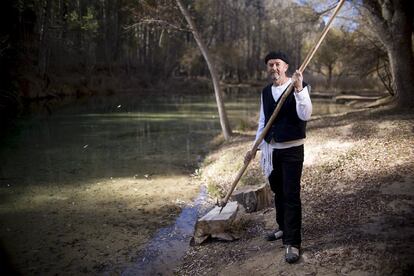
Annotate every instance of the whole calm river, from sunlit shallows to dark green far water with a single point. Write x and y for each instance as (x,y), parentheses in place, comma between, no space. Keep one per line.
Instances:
(70,180)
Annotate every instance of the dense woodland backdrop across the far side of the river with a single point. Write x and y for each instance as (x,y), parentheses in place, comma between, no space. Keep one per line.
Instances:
(56,48)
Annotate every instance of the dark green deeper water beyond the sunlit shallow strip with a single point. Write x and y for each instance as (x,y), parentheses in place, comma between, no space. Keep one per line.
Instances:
(121,136)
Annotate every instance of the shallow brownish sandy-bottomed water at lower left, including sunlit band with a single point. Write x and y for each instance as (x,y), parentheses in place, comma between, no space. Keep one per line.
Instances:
(92,229)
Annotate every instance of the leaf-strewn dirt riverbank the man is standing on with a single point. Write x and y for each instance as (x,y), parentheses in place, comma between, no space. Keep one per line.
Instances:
(357,195)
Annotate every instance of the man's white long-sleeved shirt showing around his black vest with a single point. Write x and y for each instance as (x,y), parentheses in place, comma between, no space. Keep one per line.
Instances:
(303,109)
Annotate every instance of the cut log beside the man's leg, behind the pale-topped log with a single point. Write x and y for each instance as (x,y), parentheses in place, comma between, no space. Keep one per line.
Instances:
(254,198)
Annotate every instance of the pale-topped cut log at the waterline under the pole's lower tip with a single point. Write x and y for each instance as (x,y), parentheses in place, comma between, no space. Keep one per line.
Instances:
(215,224)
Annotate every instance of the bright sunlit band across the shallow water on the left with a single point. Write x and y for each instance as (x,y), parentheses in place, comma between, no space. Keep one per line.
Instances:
(130,192)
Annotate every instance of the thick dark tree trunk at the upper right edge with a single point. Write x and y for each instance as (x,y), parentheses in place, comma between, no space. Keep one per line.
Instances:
(392,22)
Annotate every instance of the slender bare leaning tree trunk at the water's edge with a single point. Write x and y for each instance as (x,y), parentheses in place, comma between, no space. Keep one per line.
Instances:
(224,121)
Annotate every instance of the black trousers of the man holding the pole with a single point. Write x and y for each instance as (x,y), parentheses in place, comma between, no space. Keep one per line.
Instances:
(285,183)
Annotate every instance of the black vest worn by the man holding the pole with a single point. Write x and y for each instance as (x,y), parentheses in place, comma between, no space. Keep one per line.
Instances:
(287,126)
